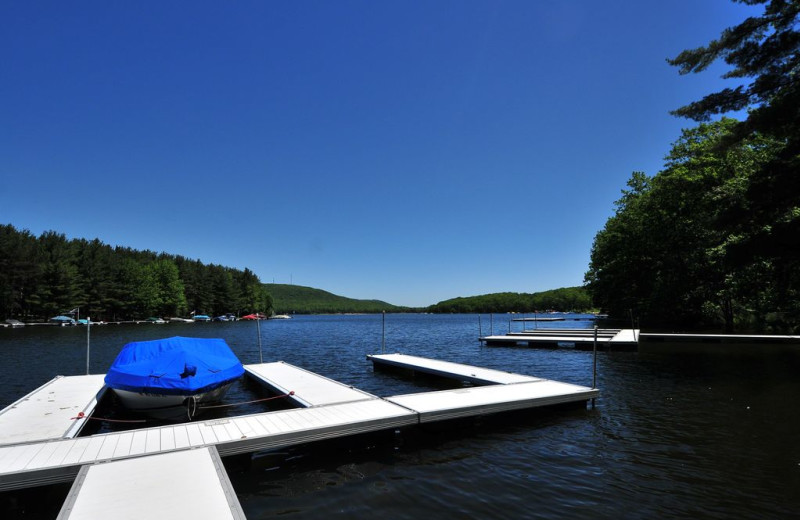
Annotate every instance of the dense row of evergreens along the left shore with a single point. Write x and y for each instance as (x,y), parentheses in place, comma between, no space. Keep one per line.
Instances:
(44,276)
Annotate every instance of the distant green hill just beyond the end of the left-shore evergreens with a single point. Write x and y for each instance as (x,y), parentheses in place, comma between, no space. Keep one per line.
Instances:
(307,300)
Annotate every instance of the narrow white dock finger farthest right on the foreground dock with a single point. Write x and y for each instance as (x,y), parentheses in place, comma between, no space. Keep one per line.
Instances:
(451,370)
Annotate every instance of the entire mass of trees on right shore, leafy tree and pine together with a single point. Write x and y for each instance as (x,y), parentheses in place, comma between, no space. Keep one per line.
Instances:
(713,240)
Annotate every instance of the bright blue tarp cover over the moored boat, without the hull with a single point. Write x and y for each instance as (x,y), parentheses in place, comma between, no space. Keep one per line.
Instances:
(174,366)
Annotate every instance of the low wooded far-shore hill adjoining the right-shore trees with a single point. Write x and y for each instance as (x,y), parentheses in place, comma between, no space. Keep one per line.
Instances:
(575,299)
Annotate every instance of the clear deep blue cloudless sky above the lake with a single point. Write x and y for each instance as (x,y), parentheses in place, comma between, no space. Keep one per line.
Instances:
(408,151)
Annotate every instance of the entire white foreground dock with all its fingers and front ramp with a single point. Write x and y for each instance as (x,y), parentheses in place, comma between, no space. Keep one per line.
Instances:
(40,440)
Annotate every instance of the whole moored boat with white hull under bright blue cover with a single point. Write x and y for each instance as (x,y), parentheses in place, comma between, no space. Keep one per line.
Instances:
(172,378)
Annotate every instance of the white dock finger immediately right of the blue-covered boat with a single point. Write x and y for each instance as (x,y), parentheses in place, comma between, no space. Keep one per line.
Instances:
(310,389)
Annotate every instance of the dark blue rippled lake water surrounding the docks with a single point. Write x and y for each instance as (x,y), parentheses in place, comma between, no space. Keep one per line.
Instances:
(671,436)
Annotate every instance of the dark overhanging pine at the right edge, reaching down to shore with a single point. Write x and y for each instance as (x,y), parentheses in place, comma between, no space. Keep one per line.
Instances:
(763,53)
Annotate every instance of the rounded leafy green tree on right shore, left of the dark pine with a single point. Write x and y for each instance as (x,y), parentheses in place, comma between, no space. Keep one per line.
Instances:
(664,254)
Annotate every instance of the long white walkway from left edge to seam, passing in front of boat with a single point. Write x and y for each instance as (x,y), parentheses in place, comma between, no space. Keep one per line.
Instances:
(41,463)
